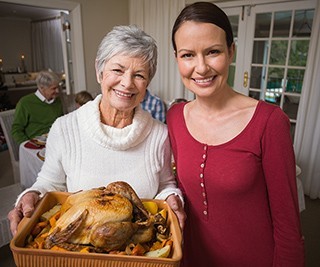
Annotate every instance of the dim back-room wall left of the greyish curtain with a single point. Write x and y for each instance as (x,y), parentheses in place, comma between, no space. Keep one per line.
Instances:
(15,41)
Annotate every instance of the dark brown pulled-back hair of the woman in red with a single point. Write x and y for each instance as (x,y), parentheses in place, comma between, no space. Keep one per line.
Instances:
(203,12)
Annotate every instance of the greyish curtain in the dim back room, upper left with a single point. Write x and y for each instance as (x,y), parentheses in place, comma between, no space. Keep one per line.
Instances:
(46,45)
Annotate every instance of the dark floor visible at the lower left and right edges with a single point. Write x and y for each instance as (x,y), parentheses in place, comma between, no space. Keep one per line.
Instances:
(310,219)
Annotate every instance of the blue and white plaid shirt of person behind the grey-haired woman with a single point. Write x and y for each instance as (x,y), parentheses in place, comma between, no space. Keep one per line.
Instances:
(155,106)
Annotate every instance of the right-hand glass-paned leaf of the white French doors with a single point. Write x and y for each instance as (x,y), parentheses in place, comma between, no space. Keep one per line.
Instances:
(279,55)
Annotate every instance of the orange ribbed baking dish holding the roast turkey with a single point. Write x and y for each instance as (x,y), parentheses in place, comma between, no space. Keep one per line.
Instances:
(26,257)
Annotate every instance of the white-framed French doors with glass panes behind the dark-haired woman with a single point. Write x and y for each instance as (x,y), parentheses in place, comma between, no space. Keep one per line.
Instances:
(272,42)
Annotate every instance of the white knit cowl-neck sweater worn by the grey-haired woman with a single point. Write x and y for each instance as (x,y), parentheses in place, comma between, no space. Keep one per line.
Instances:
(82,153)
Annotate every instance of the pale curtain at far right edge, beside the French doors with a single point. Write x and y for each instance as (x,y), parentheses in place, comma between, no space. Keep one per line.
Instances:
(307,137)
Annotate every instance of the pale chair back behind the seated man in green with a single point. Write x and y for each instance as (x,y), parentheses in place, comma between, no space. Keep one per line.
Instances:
(6,120)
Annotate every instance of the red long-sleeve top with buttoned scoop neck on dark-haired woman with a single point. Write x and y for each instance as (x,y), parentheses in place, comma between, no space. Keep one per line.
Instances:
(241,196)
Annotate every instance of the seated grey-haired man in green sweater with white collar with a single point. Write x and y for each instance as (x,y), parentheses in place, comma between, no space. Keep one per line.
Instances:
(36,112)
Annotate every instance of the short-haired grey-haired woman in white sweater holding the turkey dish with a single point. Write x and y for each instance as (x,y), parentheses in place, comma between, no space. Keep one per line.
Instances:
(110,138)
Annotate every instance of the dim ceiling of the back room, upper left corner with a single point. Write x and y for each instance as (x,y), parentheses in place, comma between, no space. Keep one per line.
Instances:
(9,10)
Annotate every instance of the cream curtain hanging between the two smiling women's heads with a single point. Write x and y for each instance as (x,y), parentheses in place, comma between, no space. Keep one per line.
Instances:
(156,17)
